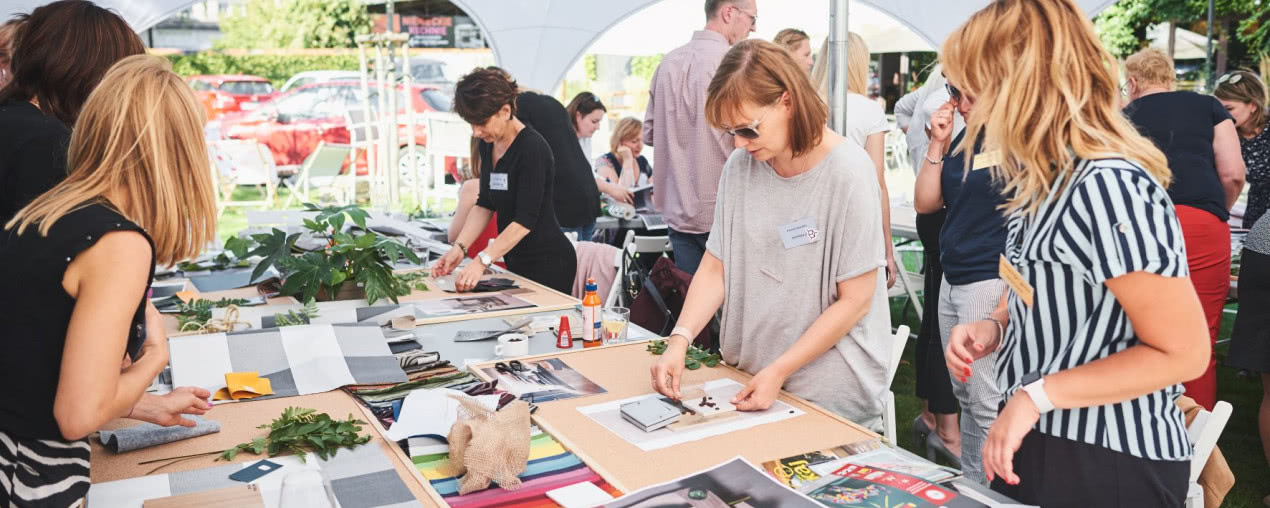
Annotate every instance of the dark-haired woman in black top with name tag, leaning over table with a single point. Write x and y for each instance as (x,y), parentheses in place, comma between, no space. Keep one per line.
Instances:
(516,181)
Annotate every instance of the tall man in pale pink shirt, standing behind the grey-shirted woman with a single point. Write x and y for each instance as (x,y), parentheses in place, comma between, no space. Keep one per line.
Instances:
(690,154)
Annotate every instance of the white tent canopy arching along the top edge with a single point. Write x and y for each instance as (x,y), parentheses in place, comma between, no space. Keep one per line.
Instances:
(538,41)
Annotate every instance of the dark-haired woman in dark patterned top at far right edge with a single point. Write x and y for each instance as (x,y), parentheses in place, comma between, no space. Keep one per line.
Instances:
(1244,96)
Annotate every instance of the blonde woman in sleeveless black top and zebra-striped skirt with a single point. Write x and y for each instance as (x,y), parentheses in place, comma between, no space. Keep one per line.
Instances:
(139,194)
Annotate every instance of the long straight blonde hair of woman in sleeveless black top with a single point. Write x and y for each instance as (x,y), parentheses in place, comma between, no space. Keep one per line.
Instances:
(140,135)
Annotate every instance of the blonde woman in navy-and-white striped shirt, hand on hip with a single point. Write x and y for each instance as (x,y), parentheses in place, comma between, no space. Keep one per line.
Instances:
(1100,324)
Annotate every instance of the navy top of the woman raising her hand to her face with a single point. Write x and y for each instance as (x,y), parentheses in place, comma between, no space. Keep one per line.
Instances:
(975,231)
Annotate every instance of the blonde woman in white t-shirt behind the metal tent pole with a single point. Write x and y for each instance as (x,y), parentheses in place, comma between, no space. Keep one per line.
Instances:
(867,124)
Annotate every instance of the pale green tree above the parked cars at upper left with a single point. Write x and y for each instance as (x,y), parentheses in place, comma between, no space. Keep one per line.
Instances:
(295,25)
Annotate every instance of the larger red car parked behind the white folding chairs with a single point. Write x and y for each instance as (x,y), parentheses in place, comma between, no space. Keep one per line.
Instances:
(293,124)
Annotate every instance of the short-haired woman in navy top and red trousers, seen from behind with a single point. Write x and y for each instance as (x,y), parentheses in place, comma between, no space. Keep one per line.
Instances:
(1198,138)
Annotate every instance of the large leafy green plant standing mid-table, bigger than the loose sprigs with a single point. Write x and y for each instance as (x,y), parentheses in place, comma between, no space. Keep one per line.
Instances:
(365,260)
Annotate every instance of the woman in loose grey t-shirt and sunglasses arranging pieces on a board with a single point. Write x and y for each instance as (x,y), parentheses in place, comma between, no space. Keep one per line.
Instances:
(796,257)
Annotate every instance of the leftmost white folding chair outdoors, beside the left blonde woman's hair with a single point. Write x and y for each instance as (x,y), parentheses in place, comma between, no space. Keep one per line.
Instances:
(242,163)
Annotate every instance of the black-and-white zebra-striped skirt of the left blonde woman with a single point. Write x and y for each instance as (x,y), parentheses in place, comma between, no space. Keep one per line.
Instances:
(43,473)
